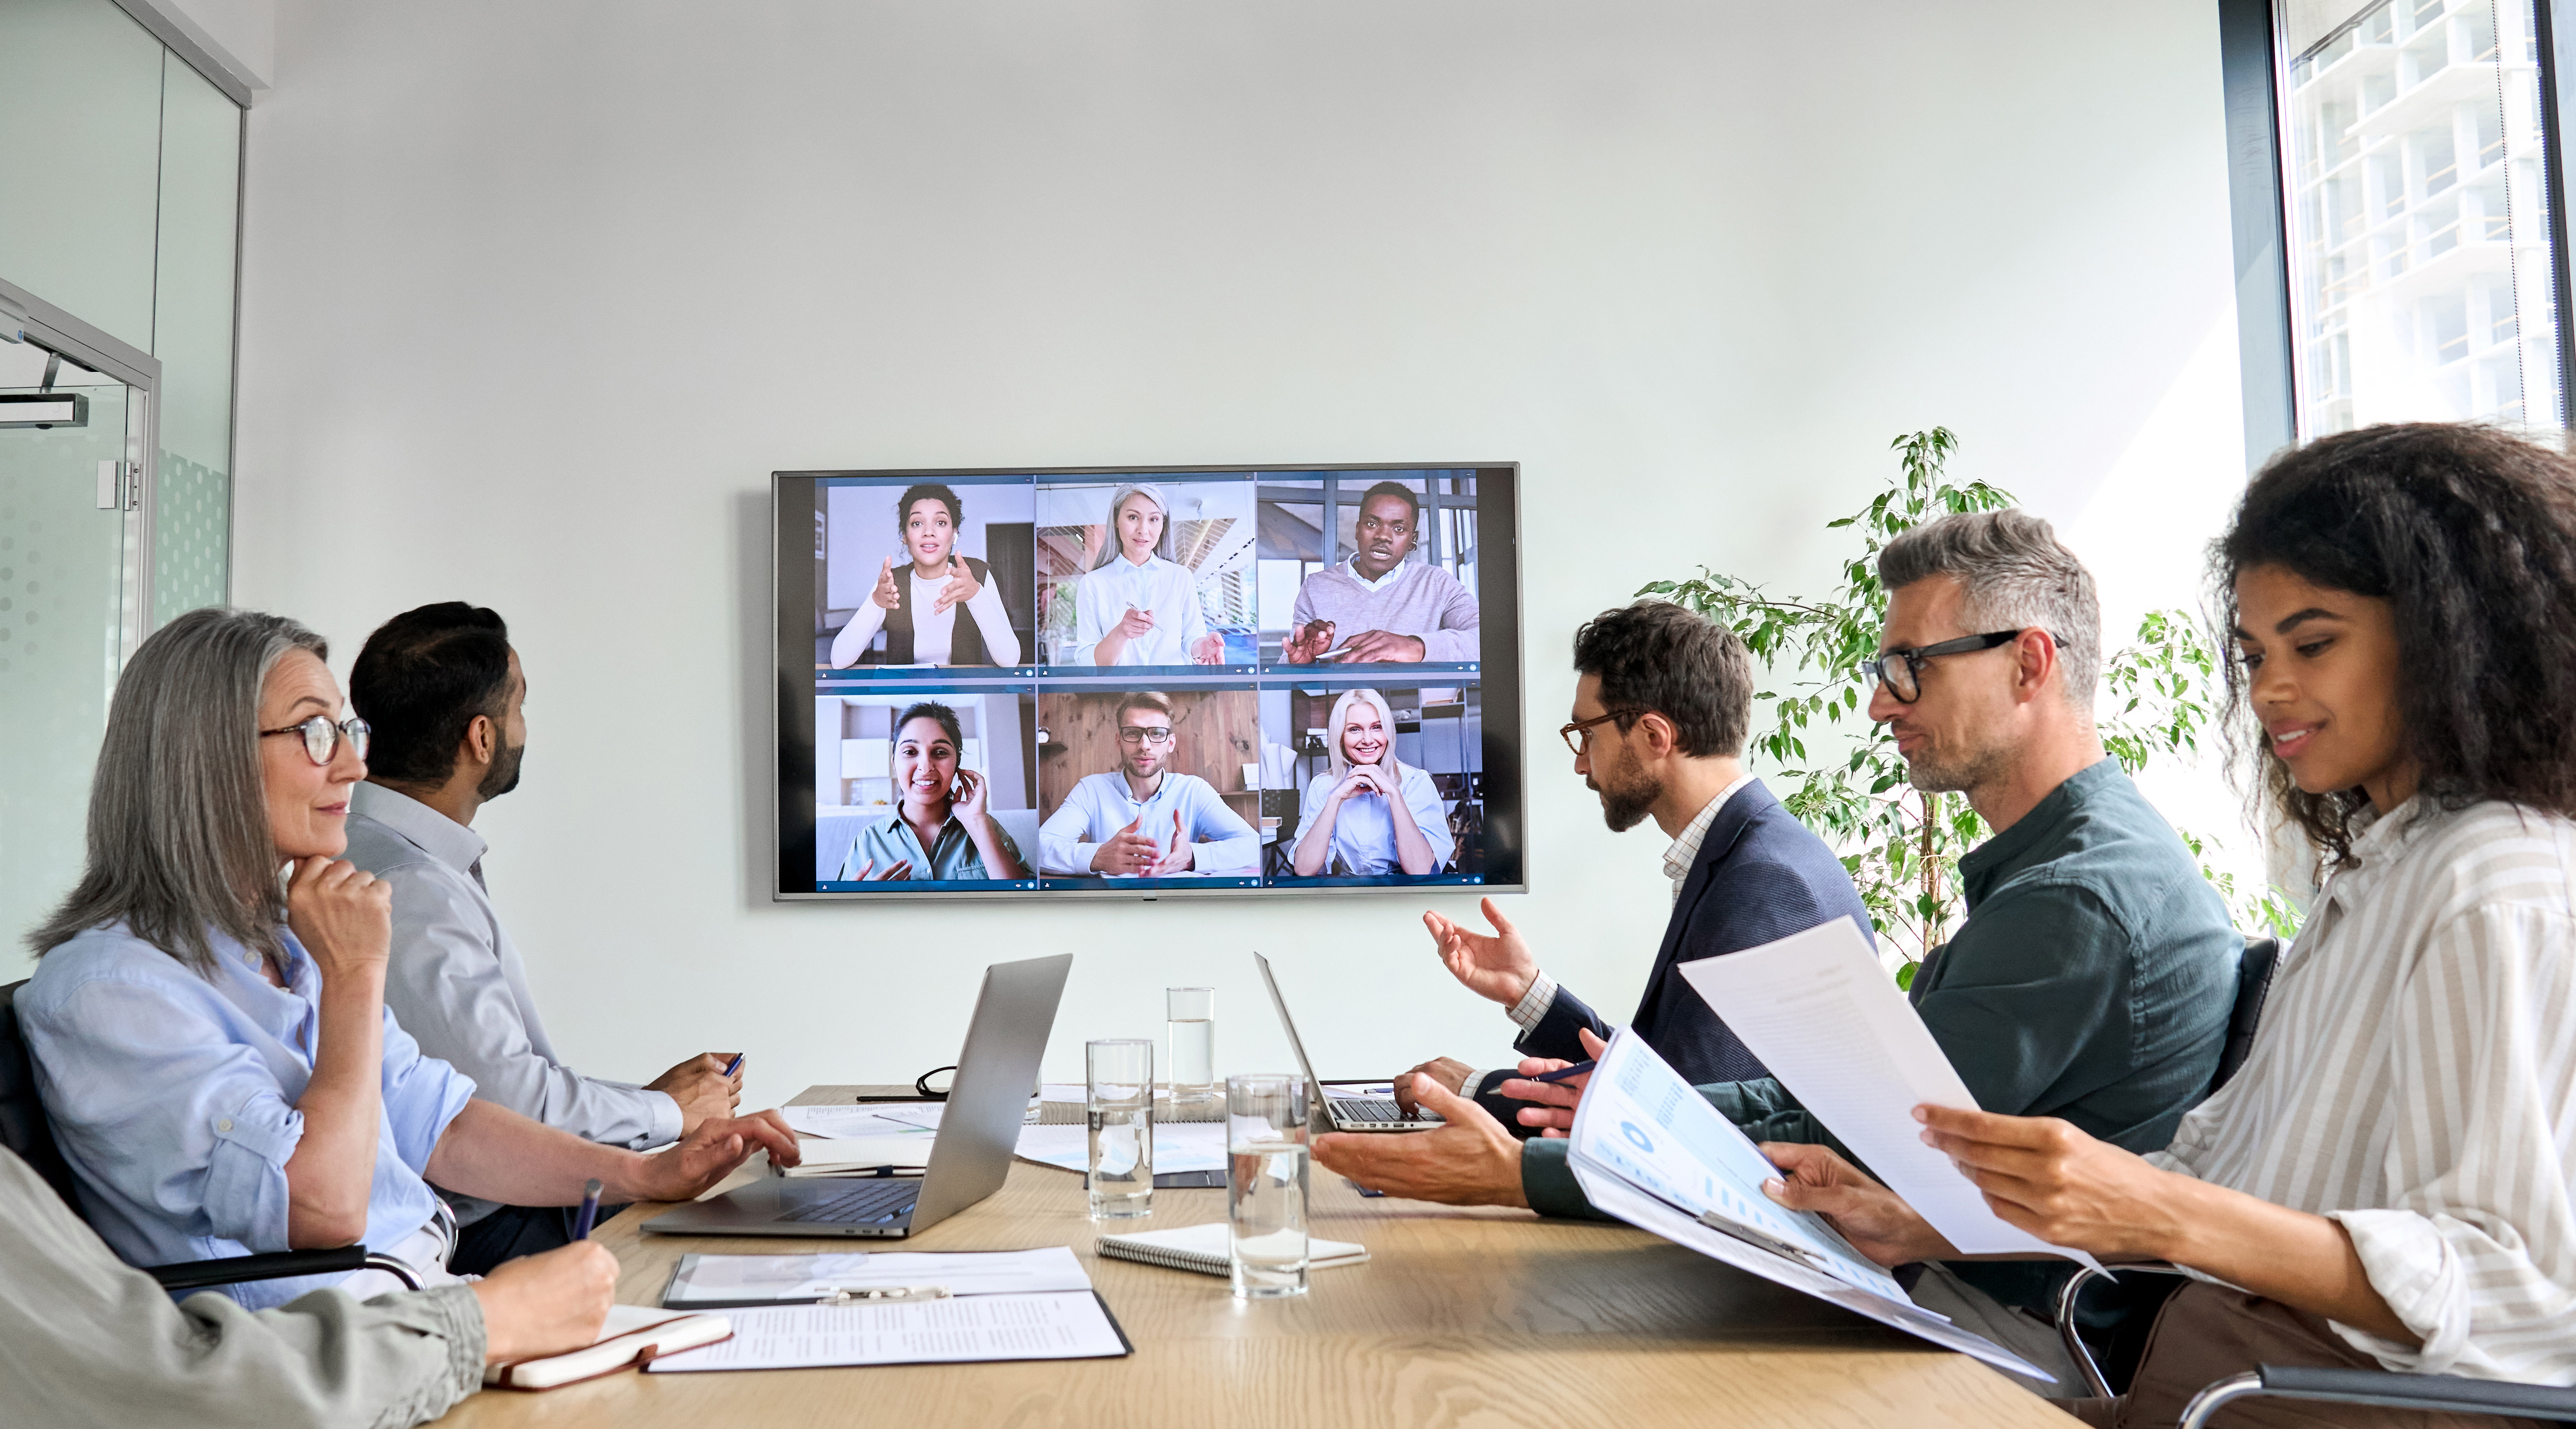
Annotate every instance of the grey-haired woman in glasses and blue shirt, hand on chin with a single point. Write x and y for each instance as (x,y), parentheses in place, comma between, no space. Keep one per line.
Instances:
(207,1011)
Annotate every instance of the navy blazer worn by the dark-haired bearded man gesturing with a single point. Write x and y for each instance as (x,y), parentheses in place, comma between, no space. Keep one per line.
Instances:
(1761,877)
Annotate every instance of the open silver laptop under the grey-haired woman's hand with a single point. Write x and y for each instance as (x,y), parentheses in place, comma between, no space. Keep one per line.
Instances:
(970,1157)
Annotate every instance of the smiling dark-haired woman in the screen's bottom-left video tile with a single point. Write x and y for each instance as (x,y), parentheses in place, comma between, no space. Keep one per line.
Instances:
(942,825)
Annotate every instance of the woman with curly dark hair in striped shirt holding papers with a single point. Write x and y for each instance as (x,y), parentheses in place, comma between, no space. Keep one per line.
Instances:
(2387,1183)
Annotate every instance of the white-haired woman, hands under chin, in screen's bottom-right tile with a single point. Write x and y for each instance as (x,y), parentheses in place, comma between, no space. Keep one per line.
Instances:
(1369,812)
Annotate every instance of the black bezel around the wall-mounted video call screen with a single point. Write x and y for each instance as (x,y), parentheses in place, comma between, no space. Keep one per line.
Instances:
(1501,684)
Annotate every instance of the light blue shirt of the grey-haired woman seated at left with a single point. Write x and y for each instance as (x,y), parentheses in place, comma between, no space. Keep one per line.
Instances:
(176,1096)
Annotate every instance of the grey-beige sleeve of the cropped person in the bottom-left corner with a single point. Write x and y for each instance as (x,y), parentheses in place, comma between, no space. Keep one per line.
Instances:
(84,1340)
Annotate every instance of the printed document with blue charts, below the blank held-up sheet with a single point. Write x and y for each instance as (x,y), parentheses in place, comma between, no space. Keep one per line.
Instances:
(1663,1160)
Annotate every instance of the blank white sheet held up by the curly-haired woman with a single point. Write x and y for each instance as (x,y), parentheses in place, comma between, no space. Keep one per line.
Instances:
(1843,1039)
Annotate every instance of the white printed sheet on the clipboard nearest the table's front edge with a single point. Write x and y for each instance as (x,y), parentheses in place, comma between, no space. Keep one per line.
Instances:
(1068,1325)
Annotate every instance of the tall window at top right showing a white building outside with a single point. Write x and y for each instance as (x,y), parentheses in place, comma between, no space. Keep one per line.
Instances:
(2412,192)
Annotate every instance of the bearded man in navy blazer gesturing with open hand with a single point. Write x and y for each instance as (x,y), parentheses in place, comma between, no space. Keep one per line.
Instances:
(1660,720)
